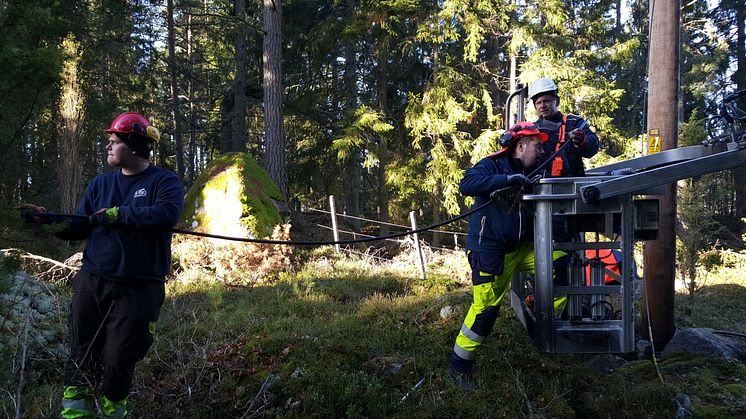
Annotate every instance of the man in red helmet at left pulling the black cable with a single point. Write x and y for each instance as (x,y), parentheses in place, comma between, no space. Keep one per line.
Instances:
(119,290)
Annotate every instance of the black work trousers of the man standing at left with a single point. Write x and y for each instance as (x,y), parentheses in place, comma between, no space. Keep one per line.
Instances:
(111,328)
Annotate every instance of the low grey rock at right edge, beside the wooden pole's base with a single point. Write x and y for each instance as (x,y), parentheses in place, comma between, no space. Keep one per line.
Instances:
(708,342)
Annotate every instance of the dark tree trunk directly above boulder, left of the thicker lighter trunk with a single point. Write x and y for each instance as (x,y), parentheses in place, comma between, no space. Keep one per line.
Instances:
(238,140)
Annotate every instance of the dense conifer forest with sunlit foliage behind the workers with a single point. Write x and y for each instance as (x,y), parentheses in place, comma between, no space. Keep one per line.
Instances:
(382,104)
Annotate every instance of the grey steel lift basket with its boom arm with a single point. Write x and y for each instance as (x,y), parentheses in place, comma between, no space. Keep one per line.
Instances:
(611,200)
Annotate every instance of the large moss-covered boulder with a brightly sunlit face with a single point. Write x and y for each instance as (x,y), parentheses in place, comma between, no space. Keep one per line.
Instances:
(233,196)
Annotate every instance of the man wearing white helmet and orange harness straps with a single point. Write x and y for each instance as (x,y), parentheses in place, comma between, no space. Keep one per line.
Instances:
(561,128)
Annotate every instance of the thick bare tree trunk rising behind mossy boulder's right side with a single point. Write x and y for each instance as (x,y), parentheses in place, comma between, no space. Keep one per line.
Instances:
(274,129)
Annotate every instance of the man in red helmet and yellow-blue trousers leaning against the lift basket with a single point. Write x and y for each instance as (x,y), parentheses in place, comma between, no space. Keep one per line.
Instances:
(500,239)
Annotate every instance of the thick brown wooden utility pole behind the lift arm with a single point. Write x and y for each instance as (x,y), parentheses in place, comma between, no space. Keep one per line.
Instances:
(659,256)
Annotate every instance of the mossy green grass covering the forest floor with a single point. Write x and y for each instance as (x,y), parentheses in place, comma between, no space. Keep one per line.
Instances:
(347,337)
